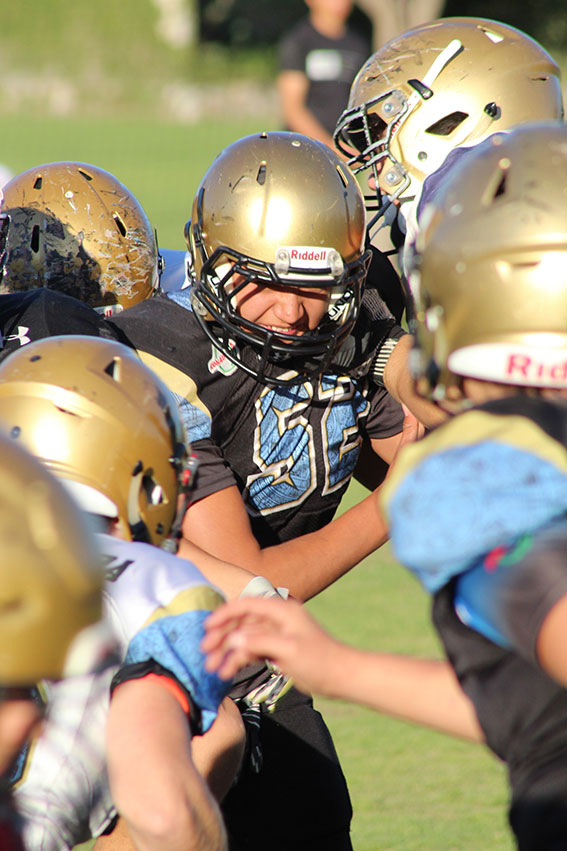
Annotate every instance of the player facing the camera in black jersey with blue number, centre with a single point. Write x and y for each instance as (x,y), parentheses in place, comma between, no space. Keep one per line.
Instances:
(253,351)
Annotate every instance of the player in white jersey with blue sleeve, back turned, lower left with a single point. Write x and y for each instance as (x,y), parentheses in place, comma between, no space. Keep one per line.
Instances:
(109,429)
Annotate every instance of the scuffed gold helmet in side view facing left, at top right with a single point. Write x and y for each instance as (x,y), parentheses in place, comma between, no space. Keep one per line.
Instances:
(449,83)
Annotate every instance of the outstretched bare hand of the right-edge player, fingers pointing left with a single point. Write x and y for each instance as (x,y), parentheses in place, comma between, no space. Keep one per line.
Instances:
(251,629)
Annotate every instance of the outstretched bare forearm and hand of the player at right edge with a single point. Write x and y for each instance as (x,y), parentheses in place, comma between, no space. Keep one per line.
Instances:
(424,691)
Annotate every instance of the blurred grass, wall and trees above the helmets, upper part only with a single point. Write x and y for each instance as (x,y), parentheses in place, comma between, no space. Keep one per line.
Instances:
(153,89)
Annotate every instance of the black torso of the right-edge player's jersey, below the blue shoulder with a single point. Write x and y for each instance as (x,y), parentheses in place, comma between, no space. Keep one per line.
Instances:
(523,714)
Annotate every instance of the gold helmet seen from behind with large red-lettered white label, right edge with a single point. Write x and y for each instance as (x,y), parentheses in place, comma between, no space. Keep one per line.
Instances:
(490,281)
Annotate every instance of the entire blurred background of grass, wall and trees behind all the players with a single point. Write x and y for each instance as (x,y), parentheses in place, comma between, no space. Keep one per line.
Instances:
(152,90)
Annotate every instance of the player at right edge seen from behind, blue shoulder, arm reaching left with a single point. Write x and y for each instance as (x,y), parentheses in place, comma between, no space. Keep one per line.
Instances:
(478,509)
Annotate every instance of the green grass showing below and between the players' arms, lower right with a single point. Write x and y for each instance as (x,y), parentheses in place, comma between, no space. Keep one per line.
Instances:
(412,789)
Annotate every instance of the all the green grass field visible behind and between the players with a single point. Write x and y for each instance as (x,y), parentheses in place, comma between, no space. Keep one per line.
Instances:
(412,789)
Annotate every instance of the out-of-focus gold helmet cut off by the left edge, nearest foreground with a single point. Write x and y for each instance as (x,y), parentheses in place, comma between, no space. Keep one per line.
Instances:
(51,576)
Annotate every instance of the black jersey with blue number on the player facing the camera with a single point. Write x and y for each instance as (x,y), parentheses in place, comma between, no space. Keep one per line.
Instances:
(290,450)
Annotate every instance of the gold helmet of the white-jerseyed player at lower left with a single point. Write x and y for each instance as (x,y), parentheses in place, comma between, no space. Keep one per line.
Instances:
(103,422)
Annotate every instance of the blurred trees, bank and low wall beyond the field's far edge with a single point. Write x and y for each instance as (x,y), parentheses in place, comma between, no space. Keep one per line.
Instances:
(183,60)
